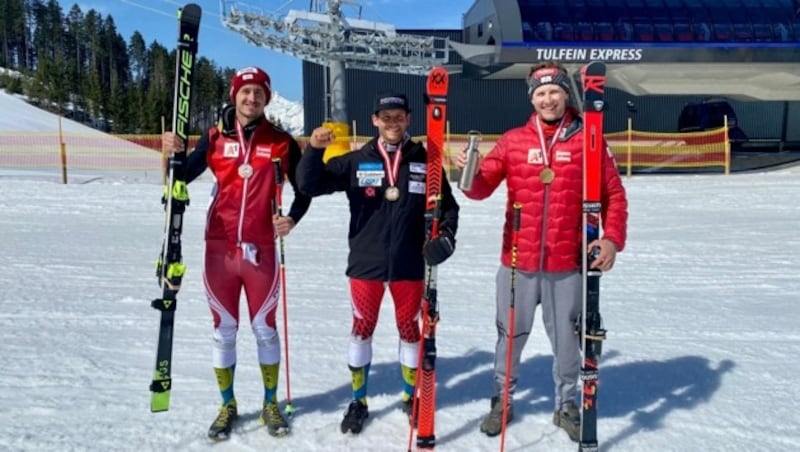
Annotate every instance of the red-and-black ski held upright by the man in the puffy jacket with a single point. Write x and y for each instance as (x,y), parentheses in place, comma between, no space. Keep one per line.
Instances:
(591,331)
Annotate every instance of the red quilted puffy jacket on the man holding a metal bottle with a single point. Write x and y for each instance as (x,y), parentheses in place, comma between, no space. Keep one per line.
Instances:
(551,217)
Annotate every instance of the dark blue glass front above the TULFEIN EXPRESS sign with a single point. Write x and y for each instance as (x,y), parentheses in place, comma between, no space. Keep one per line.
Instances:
(659,21)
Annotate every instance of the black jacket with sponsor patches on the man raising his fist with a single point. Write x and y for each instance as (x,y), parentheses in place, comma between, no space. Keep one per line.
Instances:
(385,237)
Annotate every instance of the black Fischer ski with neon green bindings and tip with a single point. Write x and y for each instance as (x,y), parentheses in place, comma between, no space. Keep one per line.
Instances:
(170,268)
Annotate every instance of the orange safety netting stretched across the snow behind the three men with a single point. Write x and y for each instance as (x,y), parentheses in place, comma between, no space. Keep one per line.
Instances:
(642,151)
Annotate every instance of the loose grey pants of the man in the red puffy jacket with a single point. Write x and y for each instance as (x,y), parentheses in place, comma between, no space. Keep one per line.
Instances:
(559,294)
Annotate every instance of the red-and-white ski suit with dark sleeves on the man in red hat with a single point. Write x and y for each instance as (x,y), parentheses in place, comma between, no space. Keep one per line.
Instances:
(240,252)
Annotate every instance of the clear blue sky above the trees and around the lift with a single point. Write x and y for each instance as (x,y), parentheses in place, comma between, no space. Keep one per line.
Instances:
(155,20)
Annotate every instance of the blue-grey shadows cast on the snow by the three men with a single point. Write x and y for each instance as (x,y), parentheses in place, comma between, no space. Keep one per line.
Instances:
(647,390)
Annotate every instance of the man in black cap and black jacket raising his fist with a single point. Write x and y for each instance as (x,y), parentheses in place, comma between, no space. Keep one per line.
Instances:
(385,182)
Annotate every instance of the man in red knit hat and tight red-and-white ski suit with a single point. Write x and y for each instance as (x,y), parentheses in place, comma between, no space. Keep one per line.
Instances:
(241,227)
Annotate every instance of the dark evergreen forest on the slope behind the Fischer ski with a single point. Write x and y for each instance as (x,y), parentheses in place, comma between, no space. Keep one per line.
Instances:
(78,65)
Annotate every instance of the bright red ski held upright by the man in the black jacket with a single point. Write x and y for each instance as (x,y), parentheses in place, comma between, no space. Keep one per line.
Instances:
(425,401)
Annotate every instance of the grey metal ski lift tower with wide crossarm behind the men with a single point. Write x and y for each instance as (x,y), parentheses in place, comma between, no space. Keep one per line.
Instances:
(325,35)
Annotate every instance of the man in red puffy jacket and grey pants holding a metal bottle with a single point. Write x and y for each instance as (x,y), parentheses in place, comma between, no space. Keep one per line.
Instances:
(541,163)
